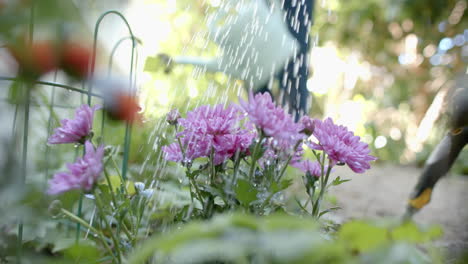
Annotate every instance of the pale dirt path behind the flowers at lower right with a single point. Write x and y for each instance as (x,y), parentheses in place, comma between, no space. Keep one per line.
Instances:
(383,192)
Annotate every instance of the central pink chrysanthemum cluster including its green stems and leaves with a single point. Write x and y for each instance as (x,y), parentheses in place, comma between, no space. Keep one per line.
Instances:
(270,141)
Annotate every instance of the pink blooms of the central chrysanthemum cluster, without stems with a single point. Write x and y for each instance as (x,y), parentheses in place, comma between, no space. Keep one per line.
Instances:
(216,131)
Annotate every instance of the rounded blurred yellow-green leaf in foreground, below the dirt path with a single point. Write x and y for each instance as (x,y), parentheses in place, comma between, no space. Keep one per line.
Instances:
(363,236)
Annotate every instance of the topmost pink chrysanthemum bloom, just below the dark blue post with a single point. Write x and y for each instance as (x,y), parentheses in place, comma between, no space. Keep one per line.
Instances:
(272,120)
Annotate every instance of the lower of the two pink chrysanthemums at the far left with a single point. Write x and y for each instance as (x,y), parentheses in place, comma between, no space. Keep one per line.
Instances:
(82,174)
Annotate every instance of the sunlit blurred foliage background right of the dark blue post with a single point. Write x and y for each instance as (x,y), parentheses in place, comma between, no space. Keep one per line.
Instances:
(400,60)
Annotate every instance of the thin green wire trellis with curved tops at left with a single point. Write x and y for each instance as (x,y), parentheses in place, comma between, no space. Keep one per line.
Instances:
(84,92)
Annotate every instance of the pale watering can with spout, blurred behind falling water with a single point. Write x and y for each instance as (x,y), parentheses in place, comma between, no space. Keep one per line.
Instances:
(254,41)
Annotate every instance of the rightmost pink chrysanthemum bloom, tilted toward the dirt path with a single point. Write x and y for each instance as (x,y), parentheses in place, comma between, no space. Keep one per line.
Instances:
(341,145)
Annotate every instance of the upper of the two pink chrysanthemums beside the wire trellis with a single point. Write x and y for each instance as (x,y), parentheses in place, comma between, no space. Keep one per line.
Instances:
(75,130)
